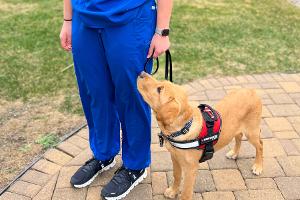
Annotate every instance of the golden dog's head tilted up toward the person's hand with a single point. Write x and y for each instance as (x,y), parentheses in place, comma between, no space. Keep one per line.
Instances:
(167,100)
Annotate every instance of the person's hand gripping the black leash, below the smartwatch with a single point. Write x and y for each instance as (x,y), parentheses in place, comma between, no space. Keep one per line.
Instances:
(159,45)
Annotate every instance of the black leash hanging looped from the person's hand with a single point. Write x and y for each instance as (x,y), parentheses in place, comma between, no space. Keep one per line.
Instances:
(168,66)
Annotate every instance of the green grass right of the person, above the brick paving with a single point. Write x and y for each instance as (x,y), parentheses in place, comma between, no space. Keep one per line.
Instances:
(234,37)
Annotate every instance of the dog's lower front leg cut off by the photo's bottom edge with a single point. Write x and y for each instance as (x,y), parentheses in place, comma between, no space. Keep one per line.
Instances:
(189,174)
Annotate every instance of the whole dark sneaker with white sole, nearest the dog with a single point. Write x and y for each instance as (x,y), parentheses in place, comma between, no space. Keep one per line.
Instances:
(122,183)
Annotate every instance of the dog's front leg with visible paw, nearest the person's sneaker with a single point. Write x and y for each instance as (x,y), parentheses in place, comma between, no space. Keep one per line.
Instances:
(172,191)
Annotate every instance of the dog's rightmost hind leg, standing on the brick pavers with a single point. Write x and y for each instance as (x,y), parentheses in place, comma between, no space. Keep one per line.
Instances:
(254,138)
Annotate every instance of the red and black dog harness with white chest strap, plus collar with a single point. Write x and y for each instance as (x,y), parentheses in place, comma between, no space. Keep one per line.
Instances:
(208,136)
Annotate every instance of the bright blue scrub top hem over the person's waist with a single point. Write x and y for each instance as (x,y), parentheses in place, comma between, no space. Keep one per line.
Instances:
(104,13)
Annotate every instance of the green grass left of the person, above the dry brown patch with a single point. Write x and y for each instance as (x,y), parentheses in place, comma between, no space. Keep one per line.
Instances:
(30,56)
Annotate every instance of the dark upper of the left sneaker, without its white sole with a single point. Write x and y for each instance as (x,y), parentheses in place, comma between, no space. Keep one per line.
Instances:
(88,170)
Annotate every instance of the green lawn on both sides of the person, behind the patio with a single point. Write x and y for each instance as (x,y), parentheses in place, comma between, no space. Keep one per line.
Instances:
(208,37)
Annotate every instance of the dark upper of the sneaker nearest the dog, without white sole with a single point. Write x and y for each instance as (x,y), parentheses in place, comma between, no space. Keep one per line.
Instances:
(121,182)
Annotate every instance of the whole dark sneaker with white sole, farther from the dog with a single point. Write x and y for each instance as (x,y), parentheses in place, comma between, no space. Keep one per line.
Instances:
(86,174)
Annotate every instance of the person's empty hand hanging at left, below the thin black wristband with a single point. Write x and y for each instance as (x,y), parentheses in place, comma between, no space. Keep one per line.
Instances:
(66,36)
